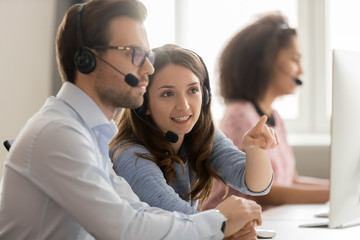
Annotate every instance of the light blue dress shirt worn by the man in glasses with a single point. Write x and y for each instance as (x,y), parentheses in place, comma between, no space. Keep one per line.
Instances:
(58,183)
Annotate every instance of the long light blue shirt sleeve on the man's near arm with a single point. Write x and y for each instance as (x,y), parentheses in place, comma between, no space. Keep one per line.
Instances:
(65,166)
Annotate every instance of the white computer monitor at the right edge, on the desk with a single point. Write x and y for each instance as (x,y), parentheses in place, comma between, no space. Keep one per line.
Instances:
(345,140)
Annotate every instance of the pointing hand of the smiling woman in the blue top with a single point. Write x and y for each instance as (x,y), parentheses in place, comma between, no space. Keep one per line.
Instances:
(260,136)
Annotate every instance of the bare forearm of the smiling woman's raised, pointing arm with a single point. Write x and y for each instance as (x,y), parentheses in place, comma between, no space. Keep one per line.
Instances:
(258,170)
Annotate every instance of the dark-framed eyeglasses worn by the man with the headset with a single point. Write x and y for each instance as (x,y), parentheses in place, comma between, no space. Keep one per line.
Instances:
(138,54)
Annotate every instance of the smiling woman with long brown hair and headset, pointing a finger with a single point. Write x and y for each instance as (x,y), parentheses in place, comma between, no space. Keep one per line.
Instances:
(174,173)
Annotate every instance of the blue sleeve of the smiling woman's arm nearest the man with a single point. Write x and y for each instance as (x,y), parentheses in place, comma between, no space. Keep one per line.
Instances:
(148,182)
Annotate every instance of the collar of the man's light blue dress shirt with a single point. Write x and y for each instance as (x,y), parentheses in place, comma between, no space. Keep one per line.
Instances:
(85,107)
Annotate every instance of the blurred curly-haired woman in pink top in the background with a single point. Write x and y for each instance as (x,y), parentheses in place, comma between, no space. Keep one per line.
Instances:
(258,65)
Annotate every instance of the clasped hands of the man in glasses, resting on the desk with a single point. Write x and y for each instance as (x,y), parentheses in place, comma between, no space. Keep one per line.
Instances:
(239,211)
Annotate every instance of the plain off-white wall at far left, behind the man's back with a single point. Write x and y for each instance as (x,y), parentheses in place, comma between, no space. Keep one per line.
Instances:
(26,55)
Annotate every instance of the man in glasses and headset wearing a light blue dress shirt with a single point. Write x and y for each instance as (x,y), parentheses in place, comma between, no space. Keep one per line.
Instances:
(58,180)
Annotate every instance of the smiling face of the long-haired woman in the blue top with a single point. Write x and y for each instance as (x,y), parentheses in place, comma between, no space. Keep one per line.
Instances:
(175,99)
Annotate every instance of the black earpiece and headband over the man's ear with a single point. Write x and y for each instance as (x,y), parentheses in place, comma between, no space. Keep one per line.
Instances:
(84,59)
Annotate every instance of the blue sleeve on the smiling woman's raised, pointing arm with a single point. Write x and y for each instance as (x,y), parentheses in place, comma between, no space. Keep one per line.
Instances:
(229,162)
